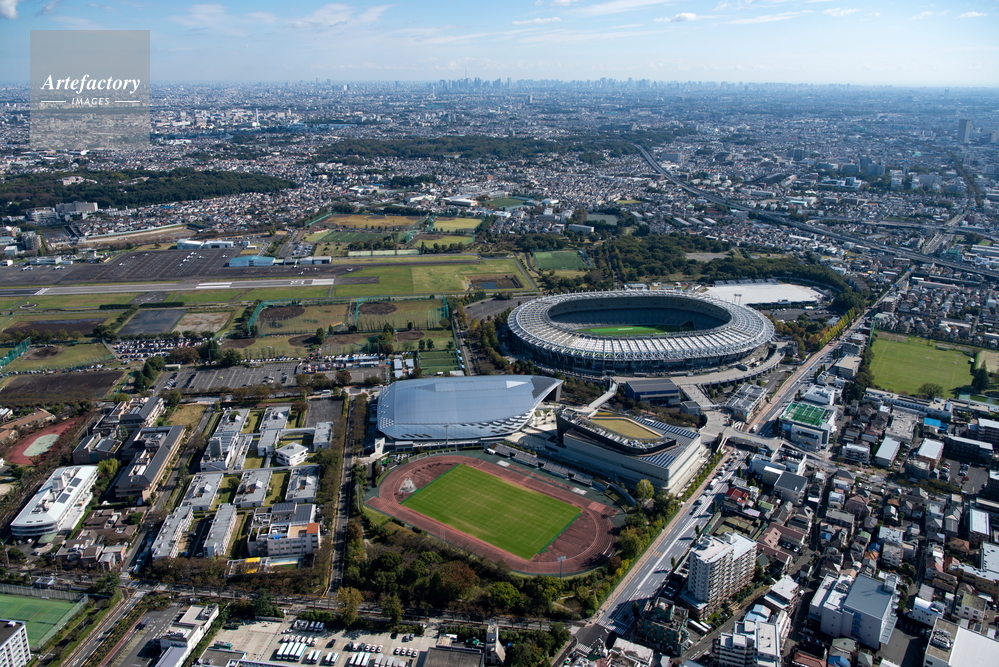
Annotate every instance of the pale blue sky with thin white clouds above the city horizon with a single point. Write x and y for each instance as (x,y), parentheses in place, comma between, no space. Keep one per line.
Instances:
(899,42)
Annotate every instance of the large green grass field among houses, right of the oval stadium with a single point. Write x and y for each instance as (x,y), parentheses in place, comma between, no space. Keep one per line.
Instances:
(904,367)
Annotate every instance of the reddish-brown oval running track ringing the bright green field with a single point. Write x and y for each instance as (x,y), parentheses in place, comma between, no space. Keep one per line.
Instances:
(584,544)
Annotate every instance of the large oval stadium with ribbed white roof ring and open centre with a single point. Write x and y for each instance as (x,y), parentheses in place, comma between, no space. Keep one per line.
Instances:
(629,332)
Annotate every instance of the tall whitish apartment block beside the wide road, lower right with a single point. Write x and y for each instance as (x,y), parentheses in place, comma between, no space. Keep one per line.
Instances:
(719,567)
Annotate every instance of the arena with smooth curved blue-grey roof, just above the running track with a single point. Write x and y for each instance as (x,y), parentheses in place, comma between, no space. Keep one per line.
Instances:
(459,408)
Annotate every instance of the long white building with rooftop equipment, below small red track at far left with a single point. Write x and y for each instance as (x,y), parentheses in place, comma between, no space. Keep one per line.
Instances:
(59,504)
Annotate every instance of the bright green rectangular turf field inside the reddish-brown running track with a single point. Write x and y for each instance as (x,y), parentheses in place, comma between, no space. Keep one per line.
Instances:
(510,517)
